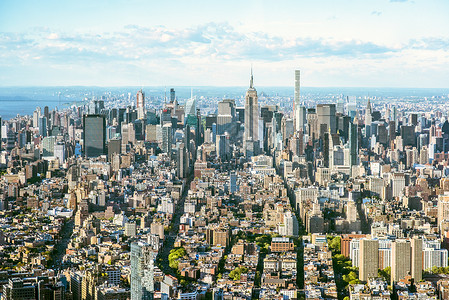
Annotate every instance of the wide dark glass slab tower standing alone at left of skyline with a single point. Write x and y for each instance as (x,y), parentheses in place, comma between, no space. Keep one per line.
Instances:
(94,135)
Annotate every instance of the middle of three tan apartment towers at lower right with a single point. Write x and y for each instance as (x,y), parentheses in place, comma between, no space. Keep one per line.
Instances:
(400,259)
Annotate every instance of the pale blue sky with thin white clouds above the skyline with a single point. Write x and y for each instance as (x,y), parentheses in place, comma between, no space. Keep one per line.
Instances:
(335,43)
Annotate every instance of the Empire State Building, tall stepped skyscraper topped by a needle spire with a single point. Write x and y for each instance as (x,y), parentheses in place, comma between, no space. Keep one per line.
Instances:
(251,136)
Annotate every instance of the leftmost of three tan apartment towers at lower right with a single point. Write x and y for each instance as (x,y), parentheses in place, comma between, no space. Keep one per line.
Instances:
(368,259)
